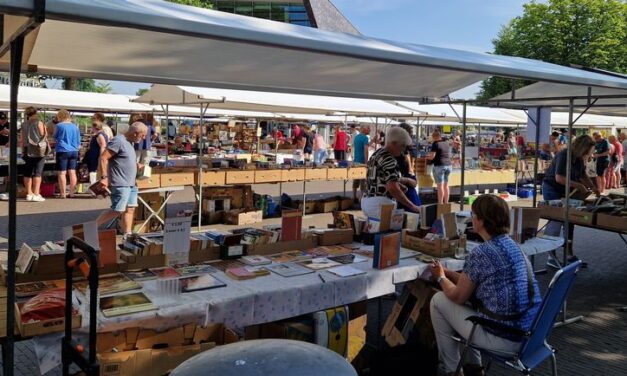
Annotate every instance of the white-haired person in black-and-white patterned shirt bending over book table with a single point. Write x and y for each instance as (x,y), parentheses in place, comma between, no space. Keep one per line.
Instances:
(384,181)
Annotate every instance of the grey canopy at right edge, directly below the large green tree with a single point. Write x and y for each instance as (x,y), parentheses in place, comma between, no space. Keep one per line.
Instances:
(602,106)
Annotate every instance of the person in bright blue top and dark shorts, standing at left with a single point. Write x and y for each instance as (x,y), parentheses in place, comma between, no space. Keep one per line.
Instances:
(68,139)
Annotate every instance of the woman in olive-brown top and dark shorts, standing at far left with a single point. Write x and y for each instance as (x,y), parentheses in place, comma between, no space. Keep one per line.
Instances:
(34,141)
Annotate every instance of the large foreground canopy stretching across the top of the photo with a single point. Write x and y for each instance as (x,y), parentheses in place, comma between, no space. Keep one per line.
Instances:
(156,41)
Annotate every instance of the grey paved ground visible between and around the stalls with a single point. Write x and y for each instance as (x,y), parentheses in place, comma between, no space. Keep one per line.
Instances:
(594,346)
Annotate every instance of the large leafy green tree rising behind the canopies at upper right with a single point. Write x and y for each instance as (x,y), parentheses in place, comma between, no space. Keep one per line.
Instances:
(590,33)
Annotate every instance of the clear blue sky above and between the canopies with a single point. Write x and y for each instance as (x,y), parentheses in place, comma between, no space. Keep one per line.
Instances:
(462,24)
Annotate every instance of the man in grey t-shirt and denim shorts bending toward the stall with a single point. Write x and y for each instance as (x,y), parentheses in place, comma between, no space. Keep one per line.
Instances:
(118,169)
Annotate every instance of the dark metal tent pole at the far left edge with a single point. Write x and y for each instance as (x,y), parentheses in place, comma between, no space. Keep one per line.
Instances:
(17,48)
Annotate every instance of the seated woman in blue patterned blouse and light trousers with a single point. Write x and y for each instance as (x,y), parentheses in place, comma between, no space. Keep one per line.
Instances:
(497,277)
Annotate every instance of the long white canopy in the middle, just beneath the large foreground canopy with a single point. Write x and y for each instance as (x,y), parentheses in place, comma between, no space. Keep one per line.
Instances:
(268,102)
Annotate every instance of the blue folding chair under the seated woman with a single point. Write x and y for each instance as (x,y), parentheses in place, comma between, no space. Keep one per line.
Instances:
(534,349)
